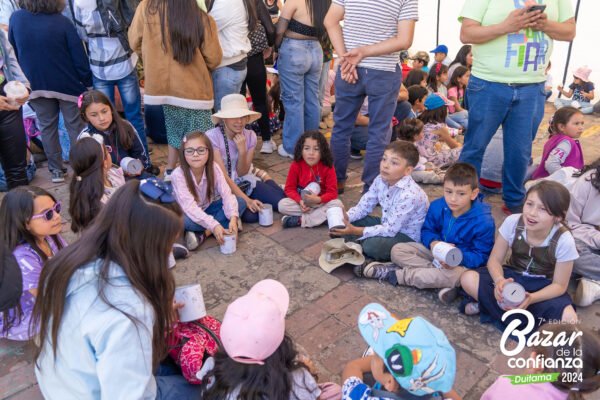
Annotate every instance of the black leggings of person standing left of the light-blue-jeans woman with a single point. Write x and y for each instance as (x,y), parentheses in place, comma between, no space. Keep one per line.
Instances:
(256,79)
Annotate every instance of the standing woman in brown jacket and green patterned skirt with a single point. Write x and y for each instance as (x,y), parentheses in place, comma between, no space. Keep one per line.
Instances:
(179,46)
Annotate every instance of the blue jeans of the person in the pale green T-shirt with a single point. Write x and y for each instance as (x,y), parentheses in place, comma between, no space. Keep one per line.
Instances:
(519,109)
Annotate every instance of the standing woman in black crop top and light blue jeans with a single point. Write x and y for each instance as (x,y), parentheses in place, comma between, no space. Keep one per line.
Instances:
(299,29)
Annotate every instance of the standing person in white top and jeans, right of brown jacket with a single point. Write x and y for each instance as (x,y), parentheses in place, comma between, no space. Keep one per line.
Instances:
(235,19)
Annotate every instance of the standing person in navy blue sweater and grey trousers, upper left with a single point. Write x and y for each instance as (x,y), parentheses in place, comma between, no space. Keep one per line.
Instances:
(54,60)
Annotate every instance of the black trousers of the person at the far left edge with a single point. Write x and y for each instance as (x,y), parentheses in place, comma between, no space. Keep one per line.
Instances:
(13,148)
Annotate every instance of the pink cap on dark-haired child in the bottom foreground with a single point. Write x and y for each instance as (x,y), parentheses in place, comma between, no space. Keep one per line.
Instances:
(254,325)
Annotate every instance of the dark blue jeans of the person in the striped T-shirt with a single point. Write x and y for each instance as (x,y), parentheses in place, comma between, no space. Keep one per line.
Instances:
(382,87)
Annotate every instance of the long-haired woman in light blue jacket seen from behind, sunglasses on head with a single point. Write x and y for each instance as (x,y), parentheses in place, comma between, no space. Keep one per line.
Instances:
(106,302)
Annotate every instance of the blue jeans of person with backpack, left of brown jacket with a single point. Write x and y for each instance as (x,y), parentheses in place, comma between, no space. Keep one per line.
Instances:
(129,89)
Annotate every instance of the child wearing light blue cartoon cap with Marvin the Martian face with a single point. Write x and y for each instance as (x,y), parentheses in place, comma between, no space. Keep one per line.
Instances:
(411,357)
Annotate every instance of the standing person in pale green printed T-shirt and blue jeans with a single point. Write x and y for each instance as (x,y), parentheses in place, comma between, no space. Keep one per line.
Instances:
(512,44)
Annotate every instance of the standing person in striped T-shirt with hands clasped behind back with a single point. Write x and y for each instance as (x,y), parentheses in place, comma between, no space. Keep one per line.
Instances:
(369,46)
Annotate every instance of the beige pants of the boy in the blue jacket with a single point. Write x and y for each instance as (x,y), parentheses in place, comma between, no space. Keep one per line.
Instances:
(418,270)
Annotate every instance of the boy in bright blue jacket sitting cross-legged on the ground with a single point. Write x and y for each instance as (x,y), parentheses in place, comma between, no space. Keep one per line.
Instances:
(461,219)
